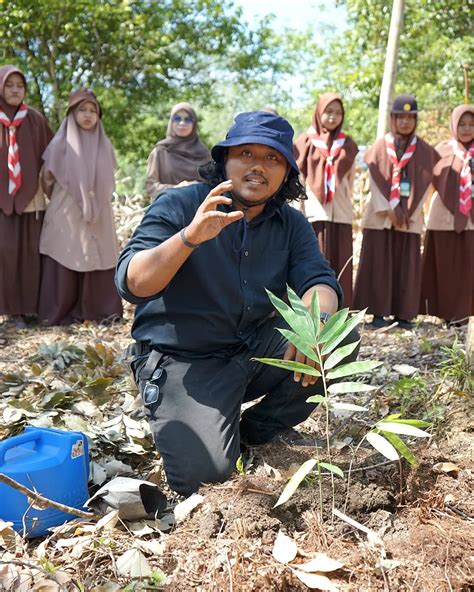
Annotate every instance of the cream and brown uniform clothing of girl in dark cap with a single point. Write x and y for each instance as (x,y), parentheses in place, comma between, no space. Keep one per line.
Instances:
(388,280)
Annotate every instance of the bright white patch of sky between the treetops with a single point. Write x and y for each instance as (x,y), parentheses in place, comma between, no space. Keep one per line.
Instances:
(295,14)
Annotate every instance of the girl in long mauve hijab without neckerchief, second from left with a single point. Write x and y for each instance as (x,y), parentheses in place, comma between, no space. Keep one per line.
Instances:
(78,241)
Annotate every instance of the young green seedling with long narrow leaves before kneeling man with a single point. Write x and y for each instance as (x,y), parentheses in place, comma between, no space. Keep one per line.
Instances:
(324,346)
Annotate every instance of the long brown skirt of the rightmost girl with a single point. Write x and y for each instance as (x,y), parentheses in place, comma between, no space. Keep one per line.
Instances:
(447,289)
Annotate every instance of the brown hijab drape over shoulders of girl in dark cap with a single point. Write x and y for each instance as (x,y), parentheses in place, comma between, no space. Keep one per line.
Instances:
(419,170)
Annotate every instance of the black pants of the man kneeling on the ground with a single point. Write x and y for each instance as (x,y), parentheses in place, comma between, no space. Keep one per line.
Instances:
(196,421)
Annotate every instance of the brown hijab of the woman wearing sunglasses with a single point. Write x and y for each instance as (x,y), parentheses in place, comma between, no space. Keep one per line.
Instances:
(179,158)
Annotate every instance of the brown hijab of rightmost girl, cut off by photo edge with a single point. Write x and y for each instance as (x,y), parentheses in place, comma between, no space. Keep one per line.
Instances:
(448,169)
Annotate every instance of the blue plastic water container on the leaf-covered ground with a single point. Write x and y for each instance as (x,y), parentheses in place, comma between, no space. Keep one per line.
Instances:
(55,464)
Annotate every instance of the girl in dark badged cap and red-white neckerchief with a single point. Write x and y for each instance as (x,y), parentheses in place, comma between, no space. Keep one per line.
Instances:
(400,169)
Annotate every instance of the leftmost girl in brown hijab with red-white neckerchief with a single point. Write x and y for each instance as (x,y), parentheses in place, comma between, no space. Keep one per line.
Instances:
(24,135)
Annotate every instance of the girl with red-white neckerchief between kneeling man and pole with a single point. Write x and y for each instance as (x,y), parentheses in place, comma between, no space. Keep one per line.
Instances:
(326,158)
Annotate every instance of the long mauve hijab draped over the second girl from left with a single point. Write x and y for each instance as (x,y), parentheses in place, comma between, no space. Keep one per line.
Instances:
(82,161)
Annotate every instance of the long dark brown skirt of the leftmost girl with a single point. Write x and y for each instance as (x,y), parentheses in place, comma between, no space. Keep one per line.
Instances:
(20,263)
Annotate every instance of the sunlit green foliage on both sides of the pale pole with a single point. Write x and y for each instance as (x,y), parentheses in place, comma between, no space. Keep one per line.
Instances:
(436,41)
